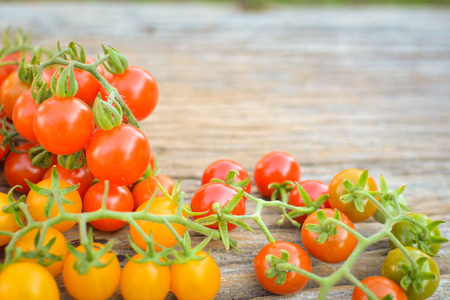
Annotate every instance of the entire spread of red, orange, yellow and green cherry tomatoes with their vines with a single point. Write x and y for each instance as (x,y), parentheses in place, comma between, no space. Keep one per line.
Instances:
(82,159)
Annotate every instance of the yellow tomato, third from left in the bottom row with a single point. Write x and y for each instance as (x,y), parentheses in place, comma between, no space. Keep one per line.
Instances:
(144,281)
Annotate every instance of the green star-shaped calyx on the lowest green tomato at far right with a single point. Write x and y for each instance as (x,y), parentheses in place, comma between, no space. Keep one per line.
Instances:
(414,275)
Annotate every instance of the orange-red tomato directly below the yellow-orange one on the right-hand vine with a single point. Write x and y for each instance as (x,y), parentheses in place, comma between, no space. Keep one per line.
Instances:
(342,243)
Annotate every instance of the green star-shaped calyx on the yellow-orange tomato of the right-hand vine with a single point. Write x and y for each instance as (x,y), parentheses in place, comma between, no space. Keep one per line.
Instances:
(356,193)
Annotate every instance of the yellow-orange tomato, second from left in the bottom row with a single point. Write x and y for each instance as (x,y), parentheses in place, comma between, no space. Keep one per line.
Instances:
(97,283)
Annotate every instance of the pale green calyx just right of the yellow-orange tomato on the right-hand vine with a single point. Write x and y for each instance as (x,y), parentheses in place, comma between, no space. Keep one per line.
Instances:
(392,201)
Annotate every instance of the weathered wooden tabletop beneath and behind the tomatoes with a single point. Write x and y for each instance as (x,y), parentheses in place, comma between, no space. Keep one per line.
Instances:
(364,87)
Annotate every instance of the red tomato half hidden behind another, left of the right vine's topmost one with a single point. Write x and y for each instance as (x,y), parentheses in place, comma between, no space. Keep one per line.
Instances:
(220,169)
